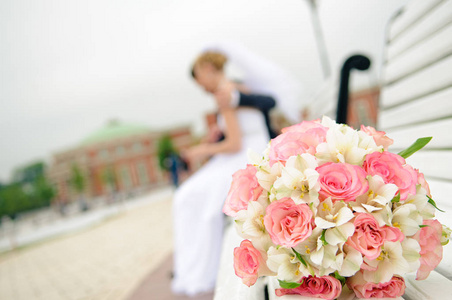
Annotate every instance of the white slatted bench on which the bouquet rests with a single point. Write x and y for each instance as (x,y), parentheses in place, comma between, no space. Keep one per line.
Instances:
(416,101)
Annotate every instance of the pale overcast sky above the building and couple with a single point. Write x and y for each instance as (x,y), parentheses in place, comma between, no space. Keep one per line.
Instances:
(68,66)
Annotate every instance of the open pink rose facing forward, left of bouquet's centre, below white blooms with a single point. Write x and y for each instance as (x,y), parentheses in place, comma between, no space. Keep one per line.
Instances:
(288,223)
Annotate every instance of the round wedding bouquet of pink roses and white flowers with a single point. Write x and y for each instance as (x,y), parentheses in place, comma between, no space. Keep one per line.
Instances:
(327,206)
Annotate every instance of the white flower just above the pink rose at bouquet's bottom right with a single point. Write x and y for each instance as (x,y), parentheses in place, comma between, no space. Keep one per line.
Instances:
(391,261)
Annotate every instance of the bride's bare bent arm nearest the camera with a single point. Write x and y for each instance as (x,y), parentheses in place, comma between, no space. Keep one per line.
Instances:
(230,144)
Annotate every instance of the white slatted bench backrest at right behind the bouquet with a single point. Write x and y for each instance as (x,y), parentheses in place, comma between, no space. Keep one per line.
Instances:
(416,96)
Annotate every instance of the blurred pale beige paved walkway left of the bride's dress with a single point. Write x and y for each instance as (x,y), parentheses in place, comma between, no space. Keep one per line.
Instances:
(107,261)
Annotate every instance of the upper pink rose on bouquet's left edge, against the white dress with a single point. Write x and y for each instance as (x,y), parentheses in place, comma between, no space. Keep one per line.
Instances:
(244,188)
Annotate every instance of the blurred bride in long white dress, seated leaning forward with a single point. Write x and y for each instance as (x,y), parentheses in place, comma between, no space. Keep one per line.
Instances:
(197,207)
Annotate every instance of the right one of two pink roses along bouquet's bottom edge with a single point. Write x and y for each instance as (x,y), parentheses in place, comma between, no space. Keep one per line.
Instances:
(392,289)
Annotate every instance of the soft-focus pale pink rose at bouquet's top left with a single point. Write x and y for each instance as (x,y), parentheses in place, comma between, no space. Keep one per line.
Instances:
(295,142)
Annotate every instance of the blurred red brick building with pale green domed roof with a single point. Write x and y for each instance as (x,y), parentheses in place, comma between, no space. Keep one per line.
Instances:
(119,157)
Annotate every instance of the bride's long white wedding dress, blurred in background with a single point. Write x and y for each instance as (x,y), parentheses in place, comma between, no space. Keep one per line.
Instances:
(197,210)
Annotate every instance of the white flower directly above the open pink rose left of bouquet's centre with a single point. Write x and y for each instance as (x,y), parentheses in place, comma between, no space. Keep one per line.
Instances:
(299,180)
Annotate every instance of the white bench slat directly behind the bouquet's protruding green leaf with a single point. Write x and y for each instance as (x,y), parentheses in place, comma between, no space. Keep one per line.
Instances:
(440,131)
